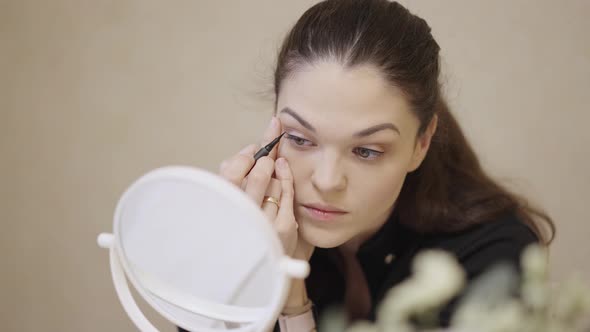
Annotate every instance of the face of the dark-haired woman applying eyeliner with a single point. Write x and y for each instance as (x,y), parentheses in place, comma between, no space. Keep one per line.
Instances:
(350,141)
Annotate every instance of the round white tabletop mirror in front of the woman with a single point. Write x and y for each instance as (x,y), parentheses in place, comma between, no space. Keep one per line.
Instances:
(200,252)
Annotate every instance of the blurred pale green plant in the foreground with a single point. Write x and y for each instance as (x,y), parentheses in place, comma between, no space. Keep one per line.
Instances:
(497,301)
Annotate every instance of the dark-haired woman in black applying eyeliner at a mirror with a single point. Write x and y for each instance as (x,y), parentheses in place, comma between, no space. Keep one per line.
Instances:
(373,167)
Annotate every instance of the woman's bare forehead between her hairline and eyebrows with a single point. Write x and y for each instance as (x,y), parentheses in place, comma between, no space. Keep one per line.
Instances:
(353,98)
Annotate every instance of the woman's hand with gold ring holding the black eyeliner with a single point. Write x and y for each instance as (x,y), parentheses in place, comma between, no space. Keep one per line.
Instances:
(259,183)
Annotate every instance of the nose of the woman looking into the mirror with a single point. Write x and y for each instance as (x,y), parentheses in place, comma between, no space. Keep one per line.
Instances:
(328,175)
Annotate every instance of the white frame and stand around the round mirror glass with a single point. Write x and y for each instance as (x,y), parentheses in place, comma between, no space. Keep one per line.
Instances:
(120,271)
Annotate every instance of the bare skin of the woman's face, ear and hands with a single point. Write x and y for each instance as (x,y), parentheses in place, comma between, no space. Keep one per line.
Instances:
(351,140)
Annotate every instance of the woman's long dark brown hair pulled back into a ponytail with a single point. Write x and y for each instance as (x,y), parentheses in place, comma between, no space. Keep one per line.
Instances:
(449,191)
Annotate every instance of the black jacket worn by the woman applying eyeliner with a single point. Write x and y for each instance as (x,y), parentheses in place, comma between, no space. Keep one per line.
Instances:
(386,259)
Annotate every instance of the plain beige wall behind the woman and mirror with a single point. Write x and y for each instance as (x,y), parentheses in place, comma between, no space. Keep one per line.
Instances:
(94,93)
